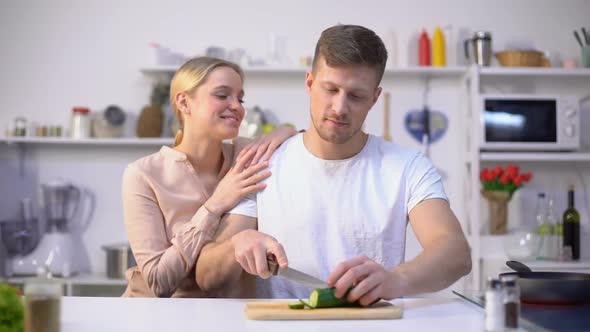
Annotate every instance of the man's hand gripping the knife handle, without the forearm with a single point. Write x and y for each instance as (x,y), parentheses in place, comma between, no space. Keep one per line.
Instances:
(251,249)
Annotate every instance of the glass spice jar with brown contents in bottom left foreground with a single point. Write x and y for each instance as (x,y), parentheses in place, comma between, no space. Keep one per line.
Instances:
(42,304)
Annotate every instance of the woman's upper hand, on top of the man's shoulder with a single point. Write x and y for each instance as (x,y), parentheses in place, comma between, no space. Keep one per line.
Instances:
(265,145)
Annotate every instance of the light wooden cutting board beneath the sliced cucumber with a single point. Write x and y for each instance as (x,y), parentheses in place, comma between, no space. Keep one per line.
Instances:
(281,311)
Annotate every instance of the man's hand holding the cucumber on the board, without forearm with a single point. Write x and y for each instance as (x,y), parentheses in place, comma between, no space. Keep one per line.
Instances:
(371,281)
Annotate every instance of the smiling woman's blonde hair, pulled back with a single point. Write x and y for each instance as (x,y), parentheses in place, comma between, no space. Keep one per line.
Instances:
(189,77)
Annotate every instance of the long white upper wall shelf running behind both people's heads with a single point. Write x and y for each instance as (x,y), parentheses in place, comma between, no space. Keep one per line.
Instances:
(449,72)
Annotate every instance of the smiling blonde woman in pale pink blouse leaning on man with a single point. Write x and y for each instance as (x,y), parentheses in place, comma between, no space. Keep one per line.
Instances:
(173,199)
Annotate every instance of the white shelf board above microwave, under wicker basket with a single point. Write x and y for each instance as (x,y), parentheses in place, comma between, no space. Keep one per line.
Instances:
(534,72)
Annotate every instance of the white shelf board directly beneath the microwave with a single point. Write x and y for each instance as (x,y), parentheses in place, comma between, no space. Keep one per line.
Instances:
(535,156)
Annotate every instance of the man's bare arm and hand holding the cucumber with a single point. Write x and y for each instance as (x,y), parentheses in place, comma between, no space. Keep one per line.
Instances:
(445,258)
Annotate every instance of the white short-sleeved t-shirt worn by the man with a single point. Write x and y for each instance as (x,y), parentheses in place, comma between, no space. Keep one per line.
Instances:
(327,211)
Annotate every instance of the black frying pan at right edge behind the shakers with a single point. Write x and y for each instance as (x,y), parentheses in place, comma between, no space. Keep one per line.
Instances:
(552,288)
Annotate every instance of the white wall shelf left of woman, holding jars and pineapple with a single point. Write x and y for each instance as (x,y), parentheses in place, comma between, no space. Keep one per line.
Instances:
(130,141)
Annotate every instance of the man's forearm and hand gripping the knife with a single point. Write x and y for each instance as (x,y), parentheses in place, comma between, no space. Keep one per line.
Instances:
(237,247)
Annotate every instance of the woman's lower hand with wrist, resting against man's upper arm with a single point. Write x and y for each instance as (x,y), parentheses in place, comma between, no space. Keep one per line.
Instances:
(240,181)
